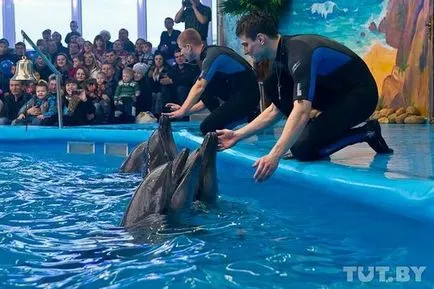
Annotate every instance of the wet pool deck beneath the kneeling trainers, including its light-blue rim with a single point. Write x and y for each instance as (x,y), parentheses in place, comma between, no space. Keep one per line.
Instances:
(402,182)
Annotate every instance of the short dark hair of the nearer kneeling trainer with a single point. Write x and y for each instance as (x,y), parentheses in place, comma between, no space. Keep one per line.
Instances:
(256,22)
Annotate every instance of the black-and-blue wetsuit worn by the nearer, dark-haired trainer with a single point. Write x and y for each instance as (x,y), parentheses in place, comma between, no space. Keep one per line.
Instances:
(335,80)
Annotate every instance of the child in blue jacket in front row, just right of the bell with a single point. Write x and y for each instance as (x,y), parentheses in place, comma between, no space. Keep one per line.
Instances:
(40,109)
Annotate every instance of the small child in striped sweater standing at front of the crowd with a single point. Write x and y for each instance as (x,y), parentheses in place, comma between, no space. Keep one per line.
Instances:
(125,96)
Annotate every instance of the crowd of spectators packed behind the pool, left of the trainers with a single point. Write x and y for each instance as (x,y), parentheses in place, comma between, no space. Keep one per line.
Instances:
(101,81)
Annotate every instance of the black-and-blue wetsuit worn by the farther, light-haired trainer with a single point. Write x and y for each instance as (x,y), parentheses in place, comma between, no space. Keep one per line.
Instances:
(232,92)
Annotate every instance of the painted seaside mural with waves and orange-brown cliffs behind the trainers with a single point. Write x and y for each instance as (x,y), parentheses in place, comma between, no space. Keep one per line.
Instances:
(390,35)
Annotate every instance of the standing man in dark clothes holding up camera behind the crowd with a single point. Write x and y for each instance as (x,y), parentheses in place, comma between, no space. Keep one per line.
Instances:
(196,16)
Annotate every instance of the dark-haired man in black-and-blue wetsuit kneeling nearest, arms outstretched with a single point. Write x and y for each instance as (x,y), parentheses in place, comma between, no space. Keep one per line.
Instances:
(310,72)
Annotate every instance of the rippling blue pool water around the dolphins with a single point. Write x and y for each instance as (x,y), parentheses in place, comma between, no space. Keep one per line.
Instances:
(59,216)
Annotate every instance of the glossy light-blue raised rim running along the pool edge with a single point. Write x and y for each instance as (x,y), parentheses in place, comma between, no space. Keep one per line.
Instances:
(408,197)
